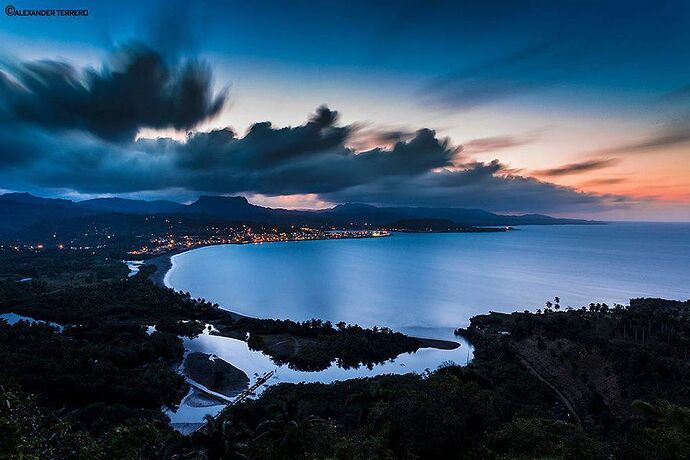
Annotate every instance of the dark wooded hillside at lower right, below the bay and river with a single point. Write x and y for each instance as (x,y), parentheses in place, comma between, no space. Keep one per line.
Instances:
(517,399)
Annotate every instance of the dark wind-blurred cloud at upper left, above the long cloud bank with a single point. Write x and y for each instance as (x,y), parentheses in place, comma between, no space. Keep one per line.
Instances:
(136,88)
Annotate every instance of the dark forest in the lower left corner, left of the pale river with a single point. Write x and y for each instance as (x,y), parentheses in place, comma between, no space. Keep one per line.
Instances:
(97,393)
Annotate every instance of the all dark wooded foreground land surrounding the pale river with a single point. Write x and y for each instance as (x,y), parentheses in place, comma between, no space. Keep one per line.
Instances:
(599,382)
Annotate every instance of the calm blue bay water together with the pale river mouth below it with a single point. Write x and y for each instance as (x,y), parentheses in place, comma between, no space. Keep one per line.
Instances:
(425,284)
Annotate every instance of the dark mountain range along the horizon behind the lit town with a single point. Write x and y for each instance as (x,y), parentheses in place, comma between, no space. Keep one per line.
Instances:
(21,210)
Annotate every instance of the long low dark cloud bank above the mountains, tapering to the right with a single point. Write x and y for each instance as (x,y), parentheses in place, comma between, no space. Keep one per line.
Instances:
(309,158)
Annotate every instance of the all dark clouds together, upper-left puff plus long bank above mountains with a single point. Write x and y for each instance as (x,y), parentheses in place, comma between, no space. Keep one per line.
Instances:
(74,129)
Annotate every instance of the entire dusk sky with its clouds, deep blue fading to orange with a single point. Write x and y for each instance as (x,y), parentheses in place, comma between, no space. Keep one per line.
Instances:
(570,108)
